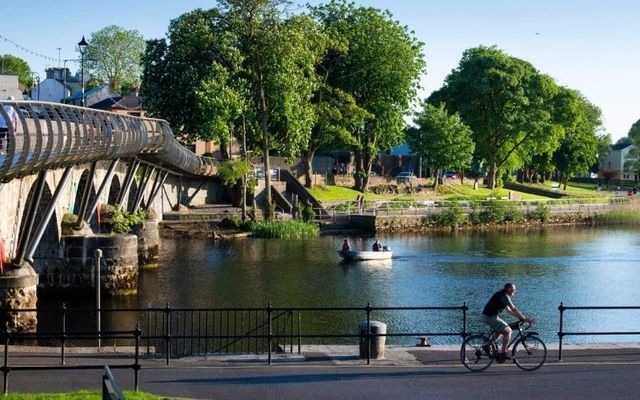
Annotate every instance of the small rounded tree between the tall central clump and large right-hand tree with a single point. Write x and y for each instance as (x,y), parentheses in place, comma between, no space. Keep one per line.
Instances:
(441,139)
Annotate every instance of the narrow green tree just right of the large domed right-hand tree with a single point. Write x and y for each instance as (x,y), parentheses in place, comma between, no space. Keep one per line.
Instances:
(578,148)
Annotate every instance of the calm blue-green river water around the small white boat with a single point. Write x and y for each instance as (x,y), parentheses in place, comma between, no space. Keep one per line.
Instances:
(579,266)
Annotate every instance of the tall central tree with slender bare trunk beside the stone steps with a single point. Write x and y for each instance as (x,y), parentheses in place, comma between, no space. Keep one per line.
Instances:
(279,62)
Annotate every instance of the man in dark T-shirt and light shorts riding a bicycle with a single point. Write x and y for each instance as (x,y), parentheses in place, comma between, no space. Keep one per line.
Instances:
(501,300)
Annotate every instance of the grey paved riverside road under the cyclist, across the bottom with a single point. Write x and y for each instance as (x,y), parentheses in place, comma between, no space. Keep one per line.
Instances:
(329,372)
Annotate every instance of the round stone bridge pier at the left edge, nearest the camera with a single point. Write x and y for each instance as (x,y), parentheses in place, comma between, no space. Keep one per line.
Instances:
(18,290)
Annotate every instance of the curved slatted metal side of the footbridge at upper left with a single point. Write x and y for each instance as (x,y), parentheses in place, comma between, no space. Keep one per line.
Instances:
(52,135)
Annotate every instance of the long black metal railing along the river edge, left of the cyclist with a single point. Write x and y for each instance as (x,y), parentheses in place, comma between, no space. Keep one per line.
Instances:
(176,332)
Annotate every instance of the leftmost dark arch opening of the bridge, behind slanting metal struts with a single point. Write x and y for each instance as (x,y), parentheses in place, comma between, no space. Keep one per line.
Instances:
(47,251)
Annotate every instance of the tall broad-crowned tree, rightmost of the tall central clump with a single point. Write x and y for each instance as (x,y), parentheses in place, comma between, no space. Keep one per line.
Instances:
(380,69)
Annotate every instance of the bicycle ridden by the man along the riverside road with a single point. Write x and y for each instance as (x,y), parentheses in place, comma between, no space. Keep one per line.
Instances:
(529,351)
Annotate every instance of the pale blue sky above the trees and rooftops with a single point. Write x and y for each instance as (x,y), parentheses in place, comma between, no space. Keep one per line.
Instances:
(589,45)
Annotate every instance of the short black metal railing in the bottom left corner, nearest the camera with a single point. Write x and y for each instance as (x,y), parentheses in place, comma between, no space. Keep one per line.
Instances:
(7,337)
